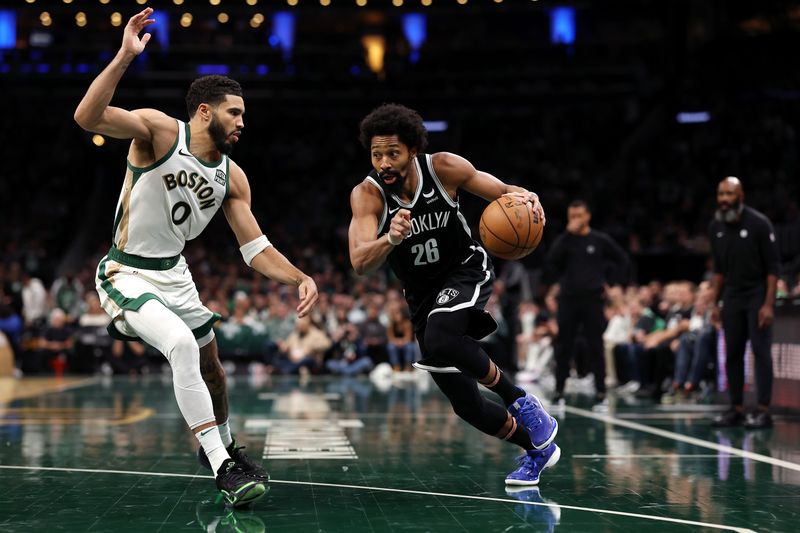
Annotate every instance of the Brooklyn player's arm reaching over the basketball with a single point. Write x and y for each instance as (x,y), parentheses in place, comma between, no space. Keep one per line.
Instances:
(456,172)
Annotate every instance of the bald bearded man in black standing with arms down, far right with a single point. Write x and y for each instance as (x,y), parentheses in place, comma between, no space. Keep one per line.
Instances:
(745,276)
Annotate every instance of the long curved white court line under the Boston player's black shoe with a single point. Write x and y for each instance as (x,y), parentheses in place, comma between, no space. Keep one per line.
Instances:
(400,491)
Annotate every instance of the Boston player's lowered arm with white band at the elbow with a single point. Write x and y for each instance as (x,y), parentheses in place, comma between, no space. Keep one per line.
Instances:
(256,249)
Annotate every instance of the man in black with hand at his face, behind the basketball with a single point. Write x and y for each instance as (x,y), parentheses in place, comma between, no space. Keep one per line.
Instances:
(586,261)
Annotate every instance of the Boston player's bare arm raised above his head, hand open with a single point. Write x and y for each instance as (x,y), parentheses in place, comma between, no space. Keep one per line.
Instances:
(94,112)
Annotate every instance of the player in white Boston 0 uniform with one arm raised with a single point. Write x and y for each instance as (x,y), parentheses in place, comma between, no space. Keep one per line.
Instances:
(178,175)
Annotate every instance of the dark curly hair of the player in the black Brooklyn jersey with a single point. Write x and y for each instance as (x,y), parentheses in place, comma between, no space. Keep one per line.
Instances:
(395,119)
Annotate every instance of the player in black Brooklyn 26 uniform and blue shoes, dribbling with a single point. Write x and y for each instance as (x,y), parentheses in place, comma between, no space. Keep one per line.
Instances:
(406,212)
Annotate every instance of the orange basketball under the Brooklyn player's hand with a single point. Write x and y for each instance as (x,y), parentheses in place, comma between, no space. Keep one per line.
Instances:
(509,230)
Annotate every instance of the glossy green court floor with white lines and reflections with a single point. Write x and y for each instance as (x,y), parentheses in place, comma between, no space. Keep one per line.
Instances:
(356,455)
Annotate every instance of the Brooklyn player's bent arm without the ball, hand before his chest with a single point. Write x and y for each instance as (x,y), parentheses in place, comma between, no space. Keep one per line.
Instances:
(367,250)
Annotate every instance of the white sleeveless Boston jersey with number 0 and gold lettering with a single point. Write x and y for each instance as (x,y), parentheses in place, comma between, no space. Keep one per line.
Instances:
(169,202)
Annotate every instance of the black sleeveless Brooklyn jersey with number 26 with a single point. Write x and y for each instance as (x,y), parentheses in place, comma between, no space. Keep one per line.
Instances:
(440,237)
